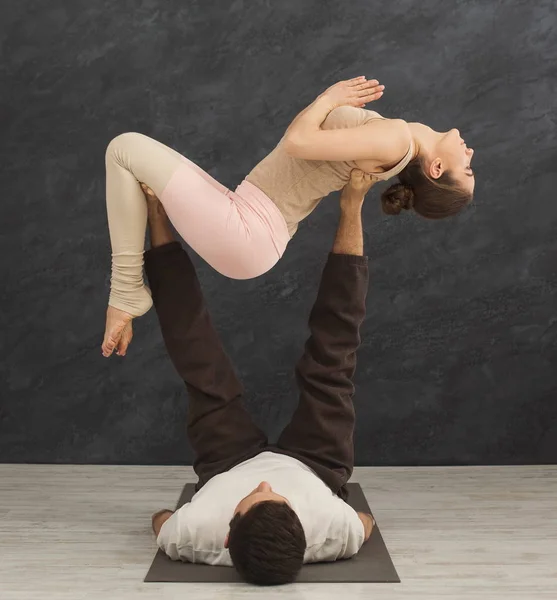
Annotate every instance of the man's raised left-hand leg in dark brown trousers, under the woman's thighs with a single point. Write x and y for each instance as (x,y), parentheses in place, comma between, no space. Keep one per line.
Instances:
(220,430)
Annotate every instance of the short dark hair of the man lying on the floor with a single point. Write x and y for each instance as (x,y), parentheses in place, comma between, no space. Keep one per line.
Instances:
(267,544)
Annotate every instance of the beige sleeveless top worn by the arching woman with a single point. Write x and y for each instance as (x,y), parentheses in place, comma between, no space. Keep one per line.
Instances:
(297,185)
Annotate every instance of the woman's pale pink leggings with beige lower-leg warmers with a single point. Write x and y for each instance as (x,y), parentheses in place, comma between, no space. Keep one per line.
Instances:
(240,233)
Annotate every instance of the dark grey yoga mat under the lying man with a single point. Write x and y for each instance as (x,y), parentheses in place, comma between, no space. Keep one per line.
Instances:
(372,564)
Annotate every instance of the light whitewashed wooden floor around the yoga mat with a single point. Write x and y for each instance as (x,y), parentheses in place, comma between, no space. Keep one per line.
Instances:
(72,532)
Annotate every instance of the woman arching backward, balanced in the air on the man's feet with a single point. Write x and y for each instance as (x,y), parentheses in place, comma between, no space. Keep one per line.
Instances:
(243,233)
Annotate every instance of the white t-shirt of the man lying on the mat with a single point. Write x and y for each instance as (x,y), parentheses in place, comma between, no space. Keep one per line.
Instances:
(196,532)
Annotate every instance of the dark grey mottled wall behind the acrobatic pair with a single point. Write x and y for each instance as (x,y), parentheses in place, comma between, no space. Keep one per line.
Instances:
(459,355)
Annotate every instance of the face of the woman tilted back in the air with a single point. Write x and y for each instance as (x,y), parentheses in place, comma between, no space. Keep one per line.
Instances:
(453,155)
